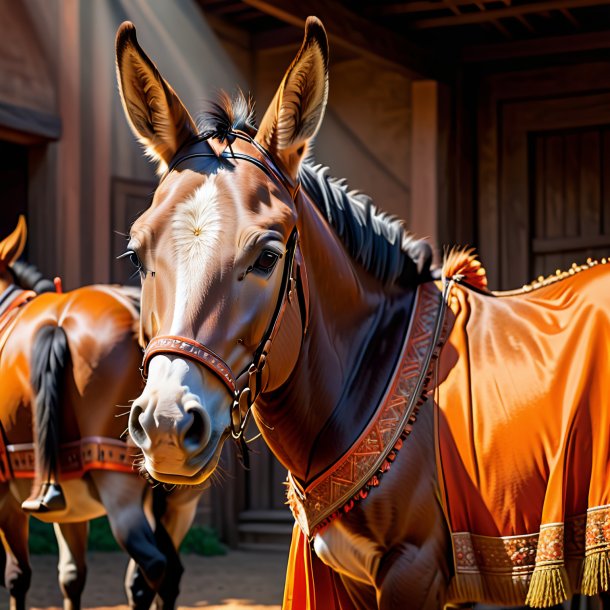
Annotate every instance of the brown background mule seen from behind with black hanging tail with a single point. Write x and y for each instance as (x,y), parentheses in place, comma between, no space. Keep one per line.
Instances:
(68,368)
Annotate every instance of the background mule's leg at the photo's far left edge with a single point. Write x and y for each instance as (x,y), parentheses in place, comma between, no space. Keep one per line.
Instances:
(14,525)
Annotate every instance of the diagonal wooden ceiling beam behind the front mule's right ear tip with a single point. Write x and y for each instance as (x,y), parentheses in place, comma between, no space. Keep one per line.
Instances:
(363,38)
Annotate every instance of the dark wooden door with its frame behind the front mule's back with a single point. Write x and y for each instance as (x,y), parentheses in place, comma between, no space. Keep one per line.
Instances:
(544,171)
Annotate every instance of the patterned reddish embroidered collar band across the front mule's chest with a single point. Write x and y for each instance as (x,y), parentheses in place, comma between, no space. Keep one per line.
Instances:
(367,459)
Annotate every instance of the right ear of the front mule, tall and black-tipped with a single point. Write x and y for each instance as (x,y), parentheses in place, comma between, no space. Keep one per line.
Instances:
(295,114)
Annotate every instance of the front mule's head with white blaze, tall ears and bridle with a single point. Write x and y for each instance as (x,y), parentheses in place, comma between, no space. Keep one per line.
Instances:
(215,252)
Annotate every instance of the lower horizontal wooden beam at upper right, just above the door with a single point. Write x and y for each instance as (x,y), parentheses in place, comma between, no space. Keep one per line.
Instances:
(572,43)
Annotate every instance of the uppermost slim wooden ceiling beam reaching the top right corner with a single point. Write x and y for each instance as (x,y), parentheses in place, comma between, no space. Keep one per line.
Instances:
(502,13)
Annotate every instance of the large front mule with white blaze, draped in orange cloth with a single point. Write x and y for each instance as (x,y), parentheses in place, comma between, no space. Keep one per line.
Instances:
(425,422)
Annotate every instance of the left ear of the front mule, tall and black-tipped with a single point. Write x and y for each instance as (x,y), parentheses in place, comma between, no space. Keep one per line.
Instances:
(155,113)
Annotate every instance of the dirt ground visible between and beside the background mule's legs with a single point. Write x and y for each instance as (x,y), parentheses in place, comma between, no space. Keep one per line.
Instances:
(236,581)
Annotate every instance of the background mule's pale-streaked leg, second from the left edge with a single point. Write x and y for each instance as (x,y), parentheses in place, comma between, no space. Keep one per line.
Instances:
(72,567)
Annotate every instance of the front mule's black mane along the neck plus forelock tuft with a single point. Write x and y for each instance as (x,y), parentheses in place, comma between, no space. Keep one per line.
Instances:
(377,240)
